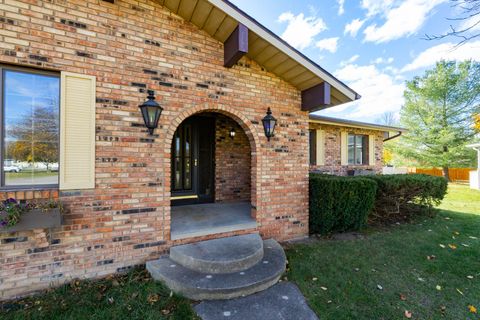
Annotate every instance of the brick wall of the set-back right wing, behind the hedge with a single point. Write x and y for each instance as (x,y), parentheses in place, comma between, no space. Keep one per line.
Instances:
(333,149)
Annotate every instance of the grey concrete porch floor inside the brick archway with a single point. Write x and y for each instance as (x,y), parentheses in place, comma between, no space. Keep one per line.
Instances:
(211,218)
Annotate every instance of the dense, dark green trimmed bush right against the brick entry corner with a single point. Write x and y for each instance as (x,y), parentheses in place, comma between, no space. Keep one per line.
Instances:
(340,203)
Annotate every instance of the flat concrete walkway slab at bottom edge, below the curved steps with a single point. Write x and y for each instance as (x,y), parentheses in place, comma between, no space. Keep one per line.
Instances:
(282,301)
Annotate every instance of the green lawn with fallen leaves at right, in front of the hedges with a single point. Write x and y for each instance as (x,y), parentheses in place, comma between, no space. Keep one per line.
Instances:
(388,272)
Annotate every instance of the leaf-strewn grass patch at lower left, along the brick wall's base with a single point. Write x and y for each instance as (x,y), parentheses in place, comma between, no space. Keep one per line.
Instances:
(130,296)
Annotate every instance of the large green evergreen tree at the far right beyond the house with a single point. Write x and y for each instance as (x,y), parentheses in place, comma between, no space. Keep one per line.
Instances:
(438,113)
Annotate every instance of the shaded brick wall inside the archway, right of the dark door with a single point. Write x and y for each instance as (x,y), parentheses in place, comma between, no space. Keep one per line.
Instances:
(232,162)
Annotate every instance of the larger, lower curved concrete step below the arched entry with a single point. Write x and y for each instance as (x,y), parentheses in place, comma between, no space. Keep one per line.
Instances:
(203,286)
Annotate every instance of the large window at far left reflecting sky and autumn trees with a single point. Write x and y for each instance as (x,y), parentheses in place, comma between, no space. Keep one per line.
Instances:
(30,127)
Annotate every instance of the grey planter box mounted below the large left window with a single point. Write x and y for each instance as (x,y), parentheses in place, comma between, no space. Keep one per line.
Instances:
(36,219)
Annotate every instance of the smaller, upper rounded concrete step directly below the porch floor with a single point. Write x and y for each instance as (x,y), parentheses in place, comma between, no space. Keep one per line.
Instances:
(225,255)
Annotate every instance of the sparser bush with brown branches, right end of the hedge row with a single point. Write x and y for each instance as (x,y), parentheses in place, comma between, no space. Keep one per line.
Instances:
(400,197)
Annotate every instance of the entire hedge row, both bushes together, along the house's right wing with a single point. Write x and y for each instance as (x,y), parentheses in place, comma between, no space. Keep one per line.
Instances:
(340,204)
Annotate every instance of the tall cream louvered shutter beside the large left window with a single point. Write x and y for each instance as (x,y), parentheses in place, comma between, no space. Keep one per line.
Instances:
(77,131)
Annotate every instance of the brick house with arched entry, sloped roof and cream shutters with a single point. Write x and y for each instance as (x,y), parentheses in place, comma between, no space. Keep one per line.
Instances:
(73,74)
